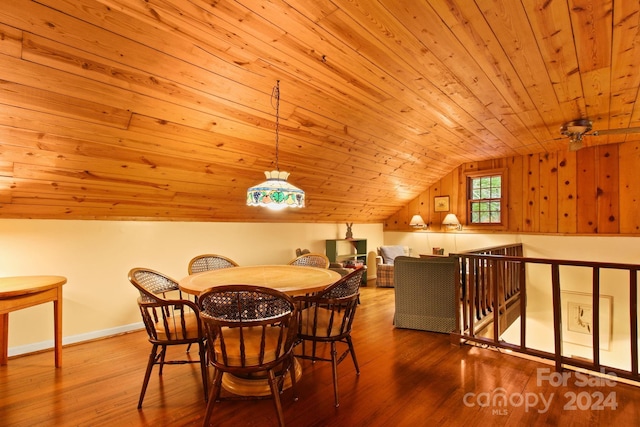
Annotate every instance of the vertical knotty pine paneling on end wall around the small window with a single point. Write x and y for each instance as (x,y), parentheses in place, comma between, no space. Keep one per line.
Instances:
(590,191)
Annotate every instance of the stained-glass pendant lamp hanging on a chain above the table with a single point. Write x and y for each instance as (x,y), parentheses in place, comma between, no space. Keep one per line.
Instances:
(276,192)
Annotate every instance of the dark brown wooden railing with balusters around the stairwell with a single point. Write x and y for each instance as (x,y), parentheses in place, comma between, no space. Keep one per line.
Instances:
(493,293)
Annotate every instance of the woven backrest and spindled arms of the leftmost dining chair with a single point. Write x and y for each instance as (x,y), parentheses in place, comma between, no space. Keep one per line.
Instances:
(167,321)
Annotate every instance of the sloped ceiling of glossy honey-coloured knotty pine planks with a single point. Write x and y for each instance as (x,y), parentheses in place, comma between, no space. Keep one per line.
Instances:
(162,109)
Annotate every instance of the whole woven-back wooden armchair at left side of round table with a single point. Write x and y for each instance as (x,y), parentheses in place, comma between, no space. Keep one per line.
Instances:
(168,321)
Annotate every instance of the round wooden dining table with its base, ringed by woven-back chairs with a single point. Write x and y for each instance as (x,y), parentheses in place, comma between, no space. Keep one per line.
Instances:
(290,279)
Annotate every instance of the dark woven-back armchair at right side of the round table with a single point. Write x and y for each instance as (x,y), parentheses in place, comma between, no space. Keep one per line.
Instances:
(327,317)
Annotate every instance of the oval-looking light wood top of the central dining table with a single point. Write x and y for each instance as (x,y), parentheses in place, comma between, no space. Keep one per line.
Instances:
(290,279)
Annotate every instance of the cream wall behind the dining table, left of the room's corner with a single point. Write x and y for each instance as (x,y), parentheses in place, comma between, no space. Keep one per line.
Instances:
(96,256)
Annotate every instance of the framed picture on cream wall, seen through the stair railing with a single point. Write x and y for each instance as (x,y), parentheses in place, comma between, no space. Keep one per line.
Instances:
(577,319)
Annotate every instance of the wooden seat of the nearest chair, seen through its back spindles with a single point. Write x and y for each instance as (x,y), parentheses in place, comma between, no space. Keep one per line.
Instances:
(252,343)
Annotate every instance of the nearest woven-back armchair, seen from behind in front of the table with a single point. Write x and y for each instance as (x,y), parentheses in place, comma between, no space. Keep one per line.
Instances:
(250,333)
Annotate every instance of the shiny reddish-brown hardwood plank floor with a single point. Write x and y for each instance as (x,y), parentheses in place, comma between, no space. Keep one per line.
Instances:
(408,378)
